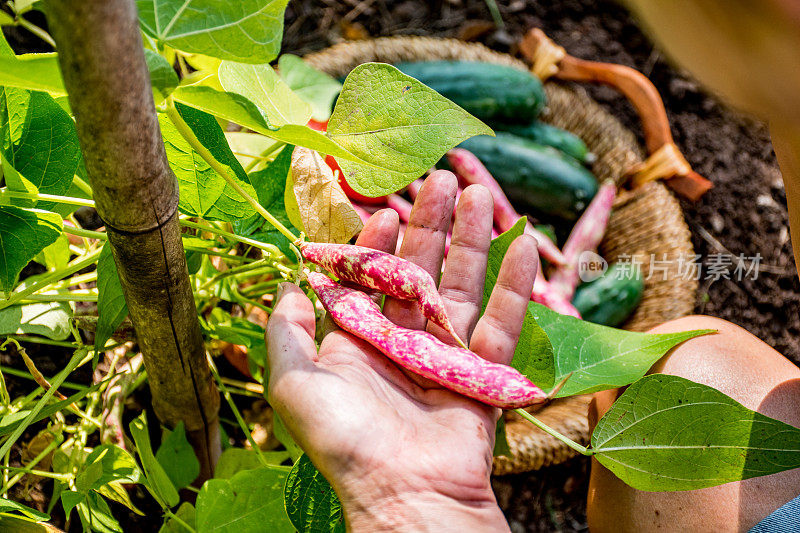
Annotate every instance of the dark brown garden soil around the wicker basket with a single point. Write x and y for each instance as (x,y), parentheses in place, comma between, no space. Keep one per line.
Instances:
(745,213)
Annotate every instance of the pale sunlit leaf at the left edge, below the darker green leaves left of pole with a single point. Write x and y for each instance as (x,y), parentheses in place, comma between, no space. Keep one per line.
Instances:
(49,319)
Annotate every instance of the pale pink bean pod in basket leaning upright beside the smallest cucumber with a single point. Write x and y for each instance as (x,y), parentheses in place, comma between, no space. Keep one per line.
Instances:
(585,236)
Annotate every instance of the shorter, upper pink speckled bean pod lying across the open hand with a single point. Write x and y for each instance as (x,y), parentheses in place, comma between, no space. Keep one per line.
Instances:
(383,272)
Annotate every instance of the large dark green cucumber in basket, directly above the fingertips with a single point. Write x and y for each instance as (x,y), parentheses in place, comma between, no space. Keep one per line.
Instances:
(535,176)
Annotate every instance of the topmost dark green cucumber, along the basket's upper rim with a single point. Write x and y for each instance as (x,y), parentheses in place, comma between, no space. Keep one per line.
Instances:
(488,91)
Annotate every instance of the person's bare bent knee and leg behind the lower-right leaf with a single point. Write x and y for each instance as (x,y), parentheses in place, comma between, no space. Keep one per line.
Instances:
(749,371)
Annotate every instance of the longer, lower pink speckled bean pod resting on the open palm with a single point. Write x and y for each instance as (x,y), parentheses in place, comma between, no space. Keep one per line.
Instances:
(454,368)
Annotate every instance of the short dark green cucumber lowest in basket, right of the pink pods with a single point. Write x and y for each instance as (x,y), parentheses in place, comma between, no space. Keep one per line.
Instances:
(611,298)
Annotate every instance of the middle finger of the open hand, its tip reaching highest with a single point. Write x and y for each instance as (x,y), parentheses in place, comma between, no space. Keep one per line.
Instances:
(423,242)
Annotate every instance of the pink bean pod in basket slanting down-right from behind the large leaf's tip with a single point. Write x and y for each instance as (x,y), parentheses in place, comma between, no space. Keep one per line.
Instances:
(471,171)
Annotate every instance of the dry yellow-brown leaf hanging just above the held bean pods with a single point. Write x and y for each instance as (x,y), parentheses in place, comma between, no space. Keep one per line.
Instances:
(327,214)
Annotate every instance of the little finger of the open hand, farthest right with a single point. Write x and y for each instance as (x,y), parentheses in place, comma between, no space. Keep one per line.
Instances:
(496,335)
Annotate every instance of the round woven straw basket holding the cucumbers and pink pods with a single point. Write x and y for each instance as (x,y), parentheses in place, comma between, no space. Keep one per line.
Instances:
(645,221)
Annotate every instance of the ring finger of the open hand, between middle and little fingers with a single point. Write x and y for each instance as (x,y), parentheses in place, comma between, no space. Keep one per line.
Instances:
(465,271)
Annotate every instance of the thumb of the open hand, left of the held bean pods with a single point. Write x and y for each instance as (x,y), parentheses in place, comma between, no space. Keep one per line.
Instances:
(290,332)
